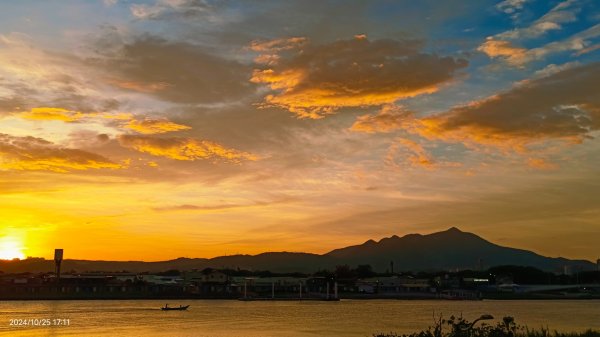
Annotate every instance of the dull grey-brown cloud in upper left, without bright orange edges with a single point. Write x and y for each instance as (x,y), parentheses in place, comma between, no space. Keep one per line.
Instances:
(177,72)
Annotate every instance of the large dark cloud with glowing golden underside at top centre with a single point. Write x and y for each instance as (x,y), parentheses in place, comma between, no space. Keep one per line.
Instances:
(315,80)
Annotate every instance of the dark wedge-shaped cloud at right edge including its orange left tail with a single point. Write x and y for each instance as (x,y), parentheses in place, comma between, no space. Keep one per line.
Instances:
(562,106)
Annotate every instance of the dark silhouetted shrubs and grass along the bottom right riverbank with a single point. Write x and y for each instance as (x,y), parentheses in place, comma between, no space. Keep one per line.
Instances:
(460,327)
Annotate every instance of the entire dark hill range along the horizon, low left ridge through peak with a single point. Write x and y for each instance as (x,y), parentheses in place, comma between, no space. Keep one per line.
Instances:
(448,250)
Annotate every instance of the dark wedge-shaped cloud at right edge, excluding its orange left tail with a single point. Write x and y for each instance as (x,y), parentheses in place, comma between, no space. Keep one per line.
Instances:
(564,105)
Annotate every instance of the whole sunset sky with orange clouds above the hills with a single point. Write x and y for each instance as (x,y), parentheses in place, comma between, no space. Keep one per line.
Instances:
(151,130)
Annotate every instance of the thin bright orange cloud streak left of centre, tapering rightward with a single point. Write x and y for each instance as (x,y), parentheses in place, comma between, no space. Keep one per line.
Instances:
(183,148)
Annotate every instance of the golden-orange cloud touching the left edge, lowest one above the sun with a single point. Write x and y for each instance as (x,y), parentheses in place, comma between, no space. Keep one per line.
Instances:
(36,154)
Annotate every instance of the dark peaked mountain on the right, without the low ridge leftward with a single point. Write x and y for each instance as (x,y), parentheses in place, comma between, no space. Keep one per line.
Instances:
(447,250)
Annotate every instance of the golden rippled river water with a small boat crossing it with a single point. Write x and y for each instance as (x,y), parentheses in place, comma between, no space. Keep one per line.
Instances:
(264,319)
